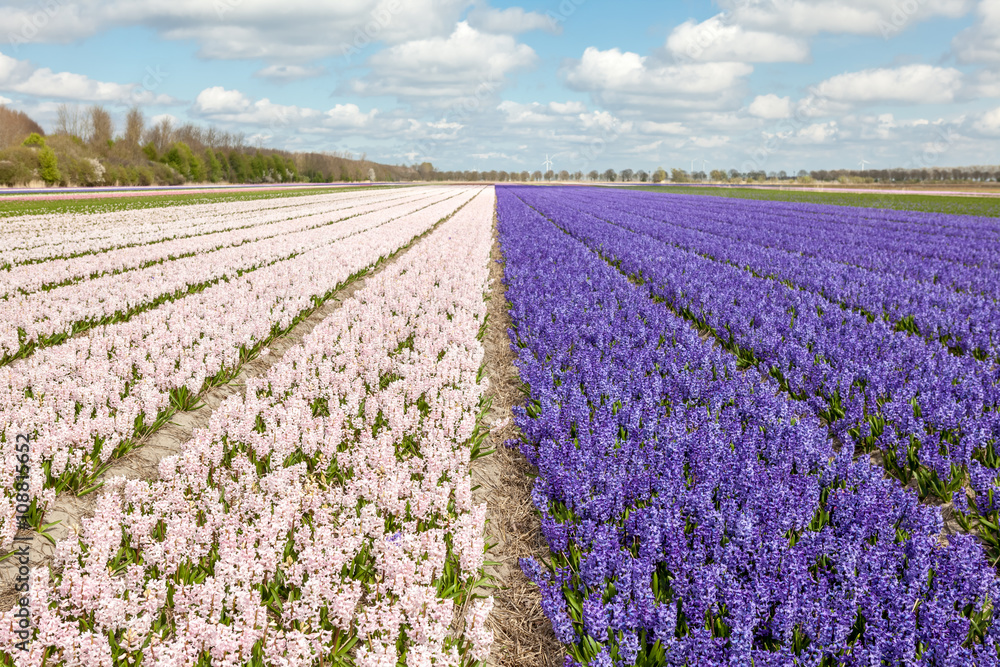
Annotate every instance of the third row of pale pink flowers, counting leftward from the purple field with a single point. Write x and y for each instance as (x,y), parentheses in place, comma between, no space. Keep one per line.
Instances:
(28,319)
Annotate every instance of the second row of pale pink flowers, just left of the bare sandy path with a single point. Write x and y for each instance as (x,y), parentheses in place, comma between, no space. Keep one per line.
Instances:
(89,397)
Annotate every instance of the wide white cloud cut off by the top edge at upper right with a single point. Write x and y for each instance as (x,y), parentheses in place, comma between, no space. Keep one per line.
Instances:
(885,18)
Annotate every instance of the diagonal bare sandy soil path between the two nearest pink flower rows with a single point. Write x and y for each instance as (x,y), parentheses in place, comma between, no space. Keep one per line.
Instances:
(143,461)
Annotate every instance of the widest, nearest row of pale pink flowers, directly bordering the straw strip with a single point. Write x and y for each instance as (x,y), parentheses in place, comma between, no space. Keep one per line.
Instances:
(323,518)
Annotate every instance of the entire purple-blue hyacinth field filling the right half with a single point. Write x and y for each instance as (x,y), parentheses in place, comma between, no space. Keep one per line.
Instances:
(705,380)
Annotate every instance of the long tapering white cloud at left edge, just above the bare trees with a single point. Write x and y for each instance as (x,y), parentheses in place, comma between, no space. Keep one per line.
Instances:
(20,76)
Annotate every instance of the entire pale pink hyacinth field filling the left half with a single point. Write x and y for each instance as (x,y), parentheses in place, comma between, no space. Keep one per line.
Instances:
(325,515)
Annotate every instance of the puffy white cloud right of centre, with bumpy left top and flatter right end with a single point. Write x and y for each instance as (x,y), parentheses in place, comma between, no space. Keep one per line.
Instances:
(615,74)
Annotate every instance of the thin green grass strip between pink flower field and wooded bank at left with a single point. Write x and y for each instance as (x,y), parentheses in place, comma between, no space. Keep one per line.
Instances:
(10,209)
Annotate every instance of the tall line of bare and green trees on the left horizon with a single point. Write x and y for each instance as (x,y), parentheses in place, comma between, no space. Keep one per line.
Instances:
(86,148)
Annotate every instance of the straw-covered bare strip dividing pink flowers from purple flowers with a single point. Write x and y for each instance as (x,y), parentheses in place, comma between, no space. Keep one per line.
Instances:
(523,635)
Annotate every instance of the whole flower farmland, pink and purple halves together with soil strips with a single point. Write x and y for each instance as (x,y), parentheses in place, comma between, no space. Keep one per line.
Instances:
(755,432)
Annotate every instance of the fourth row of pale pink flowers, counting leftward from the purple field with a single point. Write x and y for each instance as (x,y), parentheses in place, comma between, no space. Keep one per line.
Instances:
(232,230)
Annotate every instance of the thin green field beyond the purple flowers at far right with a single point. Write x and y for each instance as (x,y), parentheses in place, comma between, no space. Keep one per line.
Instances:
(962,205)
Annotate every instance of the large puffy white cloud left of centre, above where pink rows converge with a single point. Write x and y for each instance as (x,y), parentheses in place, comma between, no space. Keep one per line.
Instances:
(466,65)
